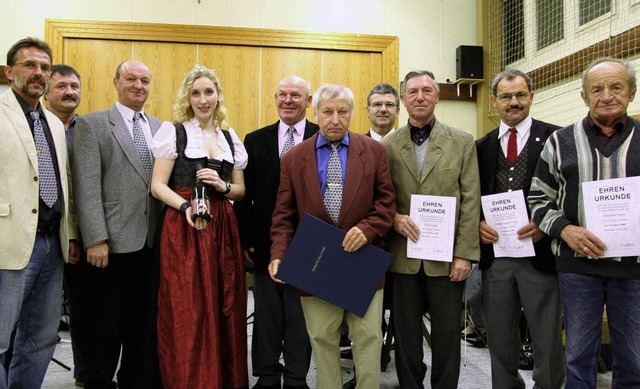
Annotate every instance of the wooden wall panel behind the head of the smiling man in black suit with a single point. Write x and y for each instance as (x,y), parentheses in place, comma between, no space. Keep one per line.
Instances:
(278,63)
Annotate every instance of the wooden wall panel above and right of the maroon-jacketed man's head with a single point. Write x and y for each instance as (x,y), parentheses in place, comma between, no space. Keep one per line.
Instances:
(354,71)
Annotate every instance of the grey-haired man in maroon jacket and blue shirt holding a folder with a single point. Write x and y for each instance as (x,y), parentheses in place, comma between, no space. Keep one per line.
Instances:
(342,178)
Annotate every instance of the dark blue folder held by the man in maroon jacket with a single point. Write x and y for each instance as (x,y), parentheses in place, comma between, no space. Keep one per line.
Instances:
(316,263)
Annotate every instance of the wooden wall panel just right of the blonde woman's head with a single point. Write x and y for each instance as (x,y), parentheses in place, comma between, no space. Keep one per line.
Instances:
(238,69)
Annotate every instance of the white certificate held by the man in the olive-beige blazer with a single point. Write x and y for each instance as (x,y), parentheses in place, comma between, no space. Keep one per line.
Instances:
(436,219)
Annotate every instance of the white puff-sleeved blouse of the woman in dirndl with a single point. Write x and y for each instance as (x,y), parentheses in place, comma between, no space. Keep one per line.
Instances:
(163,145)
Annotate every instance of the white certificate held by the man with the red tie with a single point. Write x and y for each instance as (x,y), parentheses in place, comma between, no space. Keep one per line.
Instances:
(507,213)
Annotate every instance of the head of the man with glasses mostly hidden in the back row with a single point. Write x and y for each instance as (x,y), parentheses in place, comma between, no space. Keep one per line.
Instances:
(383,107)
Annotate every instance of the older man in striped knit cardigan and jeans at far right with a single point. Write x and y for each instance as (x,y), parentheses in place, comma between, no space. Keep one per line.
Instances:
(603,145)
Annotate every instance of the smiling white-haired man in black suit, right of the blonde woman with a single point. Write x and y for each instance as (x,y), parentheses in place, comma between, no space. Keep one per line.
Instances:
(278,324)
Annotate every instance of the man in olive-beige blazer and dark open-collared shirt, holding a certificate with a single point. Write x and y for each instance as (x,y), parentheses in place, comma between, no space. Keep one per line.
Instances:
(429,157)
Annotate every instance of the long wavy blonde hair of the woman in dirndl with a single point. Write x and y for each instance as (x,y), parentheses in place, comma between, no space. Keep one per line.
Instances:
(182,110)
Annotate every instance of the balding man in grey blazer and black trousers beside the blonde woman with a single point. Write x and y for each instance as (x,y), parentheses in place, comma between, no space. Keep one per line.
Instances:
(117,218)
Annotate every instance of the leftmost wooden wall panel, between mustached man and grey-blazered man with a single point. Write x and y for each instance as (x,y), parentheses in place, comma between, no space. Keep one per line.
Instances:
(96,61)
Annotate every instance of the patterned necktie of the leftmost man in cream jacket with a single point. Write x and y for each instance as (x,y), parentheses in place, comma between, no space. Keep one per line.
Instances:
(46,171)
